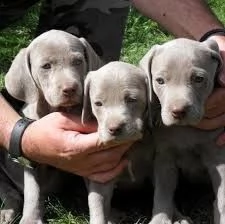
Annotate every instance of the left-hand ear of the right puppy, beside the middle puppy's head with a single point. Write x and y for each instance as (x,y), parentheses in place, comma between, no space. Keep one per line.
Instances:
(145,64)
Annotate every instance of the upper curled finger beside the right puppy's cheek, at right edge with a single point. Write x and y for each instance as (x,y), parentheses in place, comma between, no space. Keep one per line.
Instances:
(214,105)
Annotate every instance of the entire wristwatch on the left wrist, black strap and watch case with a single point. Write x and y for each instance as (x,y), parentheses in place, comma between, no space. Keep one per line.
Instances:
(15,150)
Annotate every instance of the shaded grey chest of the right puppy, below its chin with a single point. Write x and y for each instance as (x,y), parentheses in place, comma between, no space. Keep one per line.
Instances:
(186,146)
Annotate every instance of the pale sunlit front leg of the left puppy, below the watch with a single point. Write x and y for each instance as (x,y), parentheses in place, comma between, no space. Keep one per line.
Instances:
(33,203)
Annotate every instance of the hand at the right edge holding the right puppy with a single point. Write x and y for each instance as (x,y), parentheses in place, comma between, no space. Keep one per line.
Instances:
(215,106)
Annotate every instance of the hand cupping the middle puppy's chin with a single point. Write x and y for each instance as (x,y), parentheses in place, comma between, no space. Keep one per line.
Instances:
(60,140)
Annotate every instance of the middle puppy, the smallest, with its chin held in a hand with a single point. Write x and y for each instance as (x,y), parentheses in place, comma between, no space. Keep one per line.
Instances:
(117,96)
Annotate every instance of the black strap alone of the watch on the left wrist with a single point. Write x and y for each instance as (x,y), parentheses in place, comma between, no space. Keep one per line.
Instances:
(15,150)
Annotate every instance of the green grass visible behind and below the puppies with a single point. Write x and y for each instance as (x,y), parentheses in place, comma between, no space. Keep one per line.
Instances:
(140,35)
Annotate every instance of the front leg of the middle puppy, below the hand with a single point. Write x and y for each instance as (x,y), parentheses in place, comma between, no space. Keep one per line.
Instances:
(99,201)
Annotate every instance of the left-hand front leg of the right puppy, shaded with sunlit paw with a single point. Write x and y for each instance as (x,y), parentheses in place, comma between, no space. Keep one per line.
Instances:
(165,181)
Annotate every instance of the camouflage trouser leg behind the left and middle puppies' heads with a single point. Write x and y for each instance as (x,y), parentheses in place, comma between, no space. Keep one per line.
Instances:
(101,22)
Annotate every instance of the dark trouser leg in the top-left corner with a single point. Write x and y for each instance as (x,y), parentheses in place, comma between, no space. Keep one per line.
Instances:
(11,11)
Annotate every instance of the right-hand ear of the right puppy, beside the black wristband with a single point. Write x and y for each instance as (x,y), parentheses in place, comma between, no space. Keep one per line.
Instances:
(215,52)
